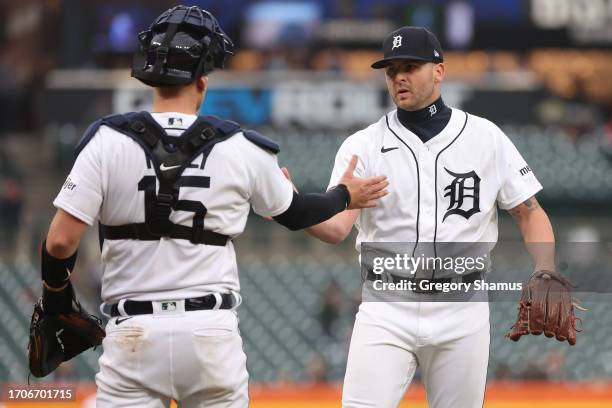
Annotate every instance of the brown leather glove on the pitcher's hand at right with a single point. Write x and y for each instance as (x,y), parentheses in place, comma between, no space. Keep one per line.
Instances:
(546,307)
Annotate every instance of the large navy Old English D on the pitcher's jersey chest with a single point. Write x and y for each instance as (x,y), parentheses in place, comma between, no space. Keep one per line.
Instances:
(463,193)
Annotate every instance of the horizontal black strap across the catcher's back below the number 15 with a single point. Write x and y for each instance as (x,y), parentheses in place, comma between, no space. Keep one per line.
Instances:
(141,232)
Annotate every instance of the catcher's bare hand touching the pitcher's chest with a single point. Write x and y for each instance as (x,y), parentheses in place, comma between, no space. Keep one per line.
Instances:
(364,191)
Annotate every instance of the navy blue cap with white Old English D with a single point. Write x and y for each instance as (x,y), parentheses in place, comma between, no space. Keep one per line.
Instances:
(416,43)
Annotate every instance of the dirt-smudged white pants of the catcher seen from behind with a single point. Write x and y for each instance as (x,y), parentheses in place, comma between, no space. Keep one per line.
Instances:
(194,357)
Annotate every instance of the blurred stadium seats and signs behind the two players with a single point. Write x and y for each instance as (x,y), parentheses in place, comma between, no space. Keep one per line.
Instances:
(539,68)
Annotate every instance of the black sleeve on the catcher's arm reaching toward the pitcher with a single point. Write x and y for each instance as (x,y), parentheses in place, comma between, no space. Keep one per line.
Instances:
(310,209)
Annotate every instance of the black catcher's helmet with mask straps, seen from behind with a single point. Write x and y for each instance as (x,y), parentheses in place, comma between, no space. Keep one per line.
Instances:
(181,44)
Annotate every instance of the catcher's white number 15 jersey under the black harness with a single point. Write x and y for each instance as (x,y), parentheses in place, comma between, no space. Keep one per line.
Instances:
(104,185)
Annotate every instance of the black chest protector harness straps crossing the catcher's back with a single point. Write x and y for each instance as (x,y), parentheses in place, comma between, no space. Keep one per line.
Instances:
(170,156)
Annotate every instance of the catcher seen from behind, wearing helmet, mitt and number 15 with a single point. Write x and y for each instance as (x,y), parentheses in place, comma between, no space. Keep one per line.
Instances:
(170,190)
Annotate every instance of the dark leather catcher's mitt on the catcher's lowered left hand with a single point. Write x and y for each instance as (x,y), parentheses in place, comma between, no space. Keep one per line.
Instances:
(55,338)
